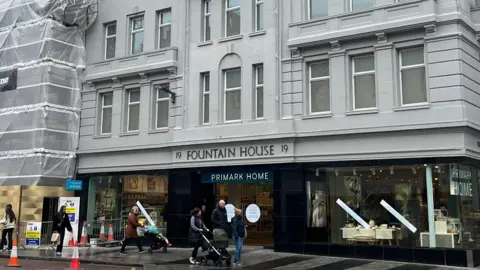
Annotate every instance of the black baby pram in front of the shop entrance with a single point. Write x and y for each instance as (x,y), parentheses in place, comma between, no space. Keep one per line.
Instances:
(217,250)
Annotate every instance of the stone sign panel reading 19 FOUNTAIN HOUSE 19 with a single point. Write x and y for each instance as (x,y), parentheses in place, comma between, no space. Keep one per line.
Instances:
(235,152)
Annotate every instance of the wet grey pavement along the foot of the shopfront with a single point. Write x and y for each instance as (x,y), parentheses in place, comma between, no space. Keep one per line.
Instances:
(253,258)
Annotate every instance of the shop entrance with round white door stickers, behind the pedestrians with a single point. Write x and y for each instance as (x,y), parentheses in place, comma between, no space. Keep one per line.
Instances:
(241,195)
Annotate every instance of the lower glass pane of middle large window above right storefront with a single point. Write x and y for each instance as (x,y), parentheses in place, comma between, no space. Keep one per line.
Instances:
(365,91)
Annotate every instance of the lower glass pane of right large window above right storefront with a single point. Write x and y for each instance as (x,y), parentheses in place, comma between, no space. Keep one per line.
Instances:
(413,86)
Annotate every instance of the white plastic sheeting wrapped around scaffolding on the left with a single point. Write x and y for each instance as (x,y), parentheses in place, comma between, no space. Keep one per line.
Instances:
(41,42)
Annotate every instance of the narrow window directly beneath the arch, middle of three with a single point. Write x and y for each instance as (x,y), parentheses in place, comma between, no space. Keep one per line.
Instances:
(232,94)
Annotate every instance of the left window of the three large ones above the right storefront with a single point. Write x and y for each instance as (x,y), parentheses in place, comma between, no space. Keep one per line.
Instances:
(319,87)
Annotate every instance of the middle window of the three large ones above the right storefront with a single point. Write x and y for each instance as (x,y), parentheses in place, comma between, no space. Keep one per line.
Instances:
(363,86)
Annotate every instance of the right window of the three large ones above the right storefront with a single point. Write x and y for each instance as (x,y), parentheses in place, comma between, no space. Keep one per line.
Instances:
(412,76)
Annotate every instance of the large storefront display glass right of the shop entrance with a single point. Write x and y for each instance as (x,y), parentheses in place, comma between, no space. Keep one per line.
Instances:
(388,205)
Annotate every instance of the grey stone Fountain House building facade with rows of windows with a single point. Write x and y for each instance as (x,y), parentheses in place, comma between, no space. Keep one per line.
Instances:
(359,89)
